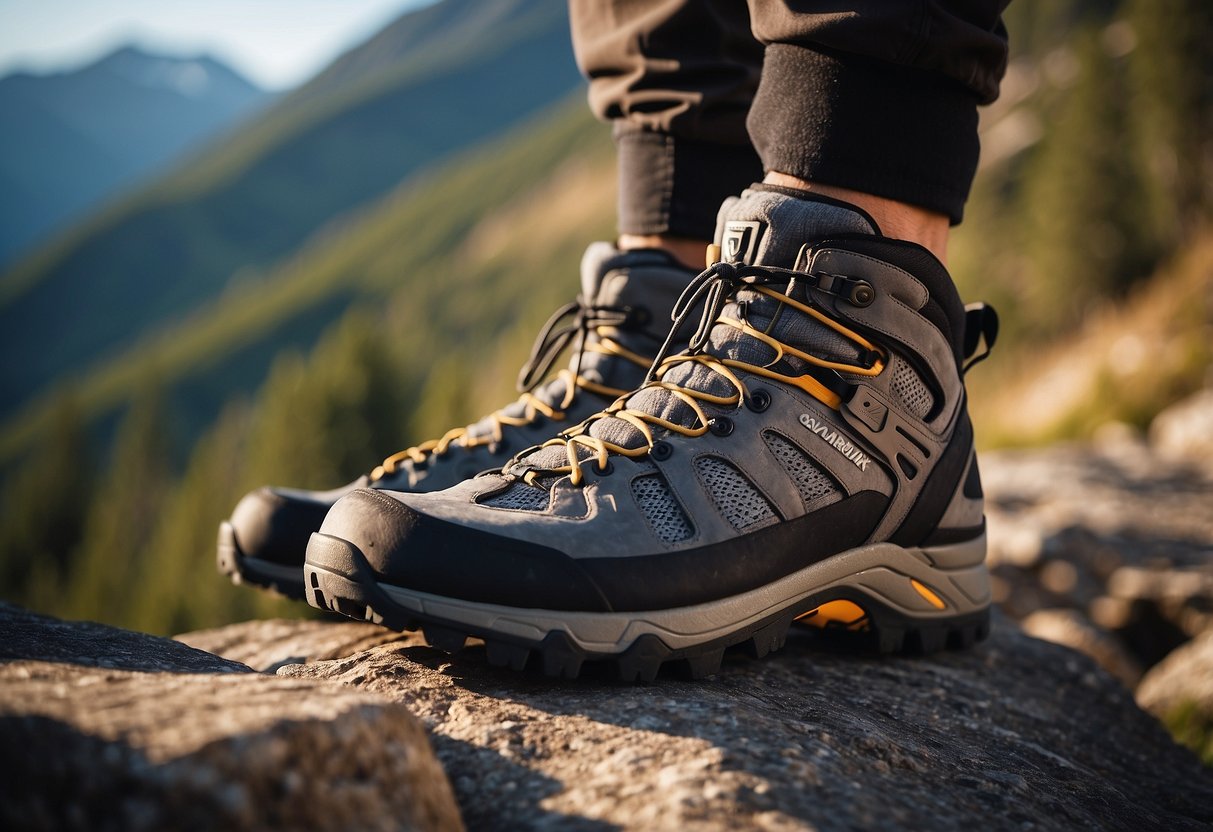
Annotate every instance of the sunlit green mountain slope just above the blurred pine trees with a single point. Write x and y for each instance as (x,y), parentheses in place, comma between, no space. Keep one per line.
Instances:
(360,258)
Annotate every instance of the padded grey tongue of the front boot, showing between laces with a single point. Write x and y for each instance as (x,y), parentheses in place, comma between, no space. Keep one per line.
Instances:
(764,227)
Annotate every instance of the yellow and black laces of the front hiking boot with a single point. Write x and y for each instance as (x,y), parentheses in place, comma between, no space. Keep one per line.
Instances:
(716,287)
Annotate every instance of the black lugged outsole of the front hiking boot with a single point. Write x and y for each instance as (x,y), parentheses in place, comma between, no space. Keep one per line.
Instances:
(351,590)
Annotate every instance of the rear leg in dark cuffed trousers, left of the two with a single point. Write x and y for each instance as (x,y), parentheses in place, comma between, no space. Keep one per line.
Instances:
(675,79)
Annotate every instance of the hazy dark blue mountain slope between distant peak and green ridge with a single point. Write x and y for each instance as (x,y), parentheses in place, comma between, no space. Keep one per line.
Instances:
(175,246)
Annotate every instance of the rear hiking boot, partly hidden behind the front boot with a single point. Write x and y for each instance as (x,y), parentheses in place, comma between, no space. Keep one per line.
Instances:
(614,329)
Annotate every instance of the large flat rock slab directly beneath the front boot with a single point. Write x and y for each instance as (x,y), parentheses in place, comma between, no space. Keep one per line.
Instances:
(1017,730)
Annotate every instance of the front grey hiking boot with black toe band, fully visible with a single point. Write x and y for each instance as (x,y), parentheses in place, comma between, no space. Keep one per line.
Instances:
(808,458)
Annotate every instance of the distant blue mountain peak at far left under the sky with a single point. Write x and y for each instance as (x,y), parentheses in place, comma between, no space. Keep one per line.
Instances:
(78,138)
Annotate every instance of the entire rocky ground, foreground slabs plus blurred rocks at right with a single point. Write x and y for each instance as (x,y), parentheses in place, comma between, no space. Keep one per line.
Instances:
(1106,550)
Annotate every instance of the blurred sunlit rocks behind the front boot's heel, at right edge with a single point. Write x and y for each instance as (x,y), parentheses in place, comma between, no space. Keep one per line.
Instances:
(1108,549)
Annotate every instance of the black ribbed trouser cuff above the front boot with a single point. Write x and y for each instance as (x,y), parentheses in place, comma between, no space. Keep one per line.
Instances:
(873,127)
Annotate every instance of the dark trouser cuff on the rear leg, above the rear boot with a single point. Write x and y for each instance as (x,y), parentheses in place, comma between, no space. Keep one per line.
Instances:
(675,186)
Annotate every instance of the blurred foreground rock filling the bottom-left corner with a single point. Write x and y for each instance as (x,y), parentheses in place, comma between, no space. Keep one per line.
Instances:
(107,730)
